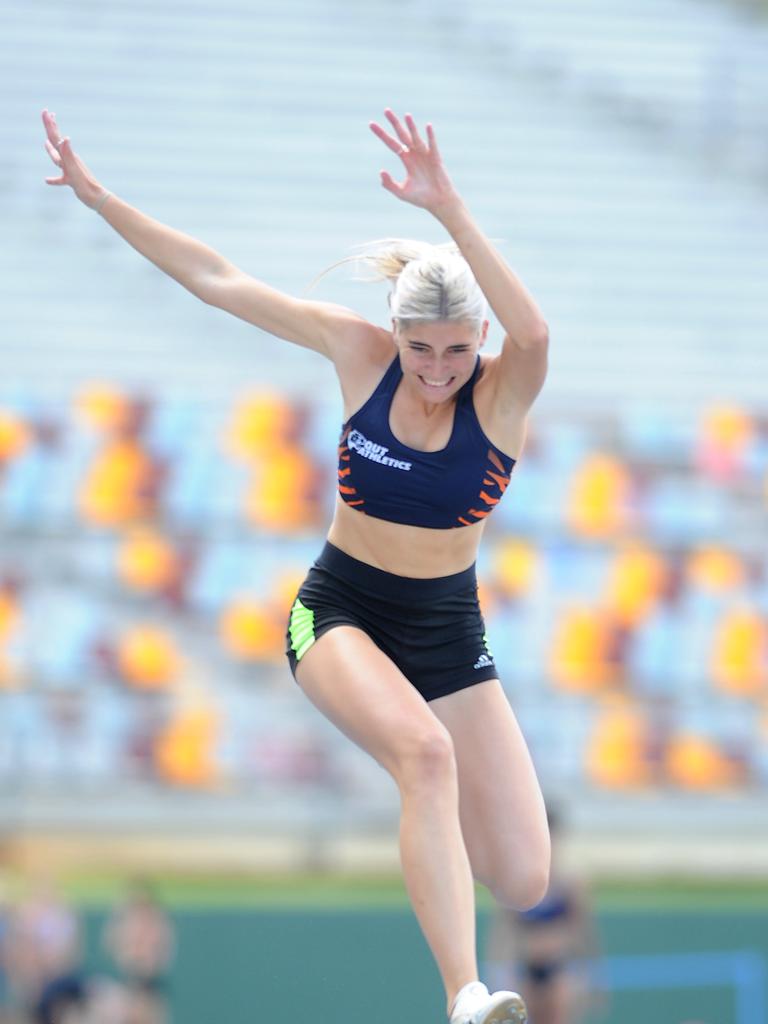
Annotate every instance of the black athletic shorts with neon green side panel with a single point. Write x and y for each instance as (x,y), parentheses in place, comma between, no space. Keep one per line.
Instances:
(433,629)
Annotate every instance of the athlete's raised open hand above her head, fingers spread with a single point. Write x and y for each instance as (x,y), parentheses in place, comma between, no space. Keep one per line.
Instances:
(426,183)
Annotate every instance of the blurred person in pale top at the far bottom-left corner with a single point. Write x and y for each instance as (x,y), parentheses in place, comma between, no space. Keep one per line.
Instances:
(46,956)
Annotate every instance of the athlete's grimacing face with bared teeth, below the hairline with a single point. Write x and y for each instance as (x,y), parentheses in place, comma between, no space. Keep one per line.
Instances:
(439,358)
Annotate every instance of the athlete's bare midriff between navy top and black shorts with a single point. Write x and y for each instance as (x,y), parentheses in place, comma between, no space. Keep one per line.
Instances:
(407,551)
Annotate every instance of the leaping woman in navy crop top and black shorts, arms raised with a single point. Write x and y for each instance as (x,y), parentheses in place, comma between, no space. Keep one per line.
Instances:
(387,636)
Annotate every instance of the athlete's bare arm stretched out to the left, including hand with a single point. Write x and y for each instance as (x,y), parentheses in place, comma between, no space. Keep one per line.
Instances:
(320,326)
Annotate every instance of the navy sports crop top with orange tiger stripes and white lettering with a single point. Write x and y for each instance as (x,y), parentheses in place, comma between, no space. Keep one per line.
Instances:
(456,487)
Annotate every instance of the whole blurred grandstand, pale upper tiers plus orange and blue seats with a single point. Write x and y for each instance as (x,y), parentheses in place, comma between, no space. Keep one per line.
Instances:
(151,449)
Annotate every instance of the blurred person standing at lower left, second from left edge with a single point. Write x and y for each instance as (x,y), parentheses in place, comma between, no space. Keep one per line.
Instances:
(141,941)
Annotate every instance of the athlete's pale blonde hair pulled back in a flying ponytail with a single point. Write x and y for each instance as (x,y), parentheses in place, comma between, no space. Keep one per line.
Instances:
(430,282)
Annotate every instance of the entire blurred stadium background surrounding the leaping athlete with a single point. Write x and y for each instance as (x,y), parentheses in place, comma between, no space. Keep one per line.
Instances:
(183,837)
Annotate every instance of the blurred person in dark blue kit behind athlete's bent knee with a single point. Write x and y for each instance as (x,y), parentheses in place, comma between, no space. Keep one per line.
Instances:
(549,954)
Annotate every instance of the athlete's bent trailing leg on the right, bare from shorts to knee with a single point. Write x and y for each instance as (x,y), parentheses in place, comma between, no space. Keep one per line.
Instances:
(502,810)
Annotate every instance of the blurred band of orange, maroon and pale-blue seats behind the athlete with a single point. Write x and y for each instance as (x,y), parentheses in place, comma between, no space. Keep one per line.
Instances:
(599,593)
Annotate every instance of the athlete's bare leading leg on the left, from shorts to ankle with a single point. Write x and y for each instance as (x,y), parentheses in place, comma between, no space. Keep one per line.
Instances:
(367,697)
